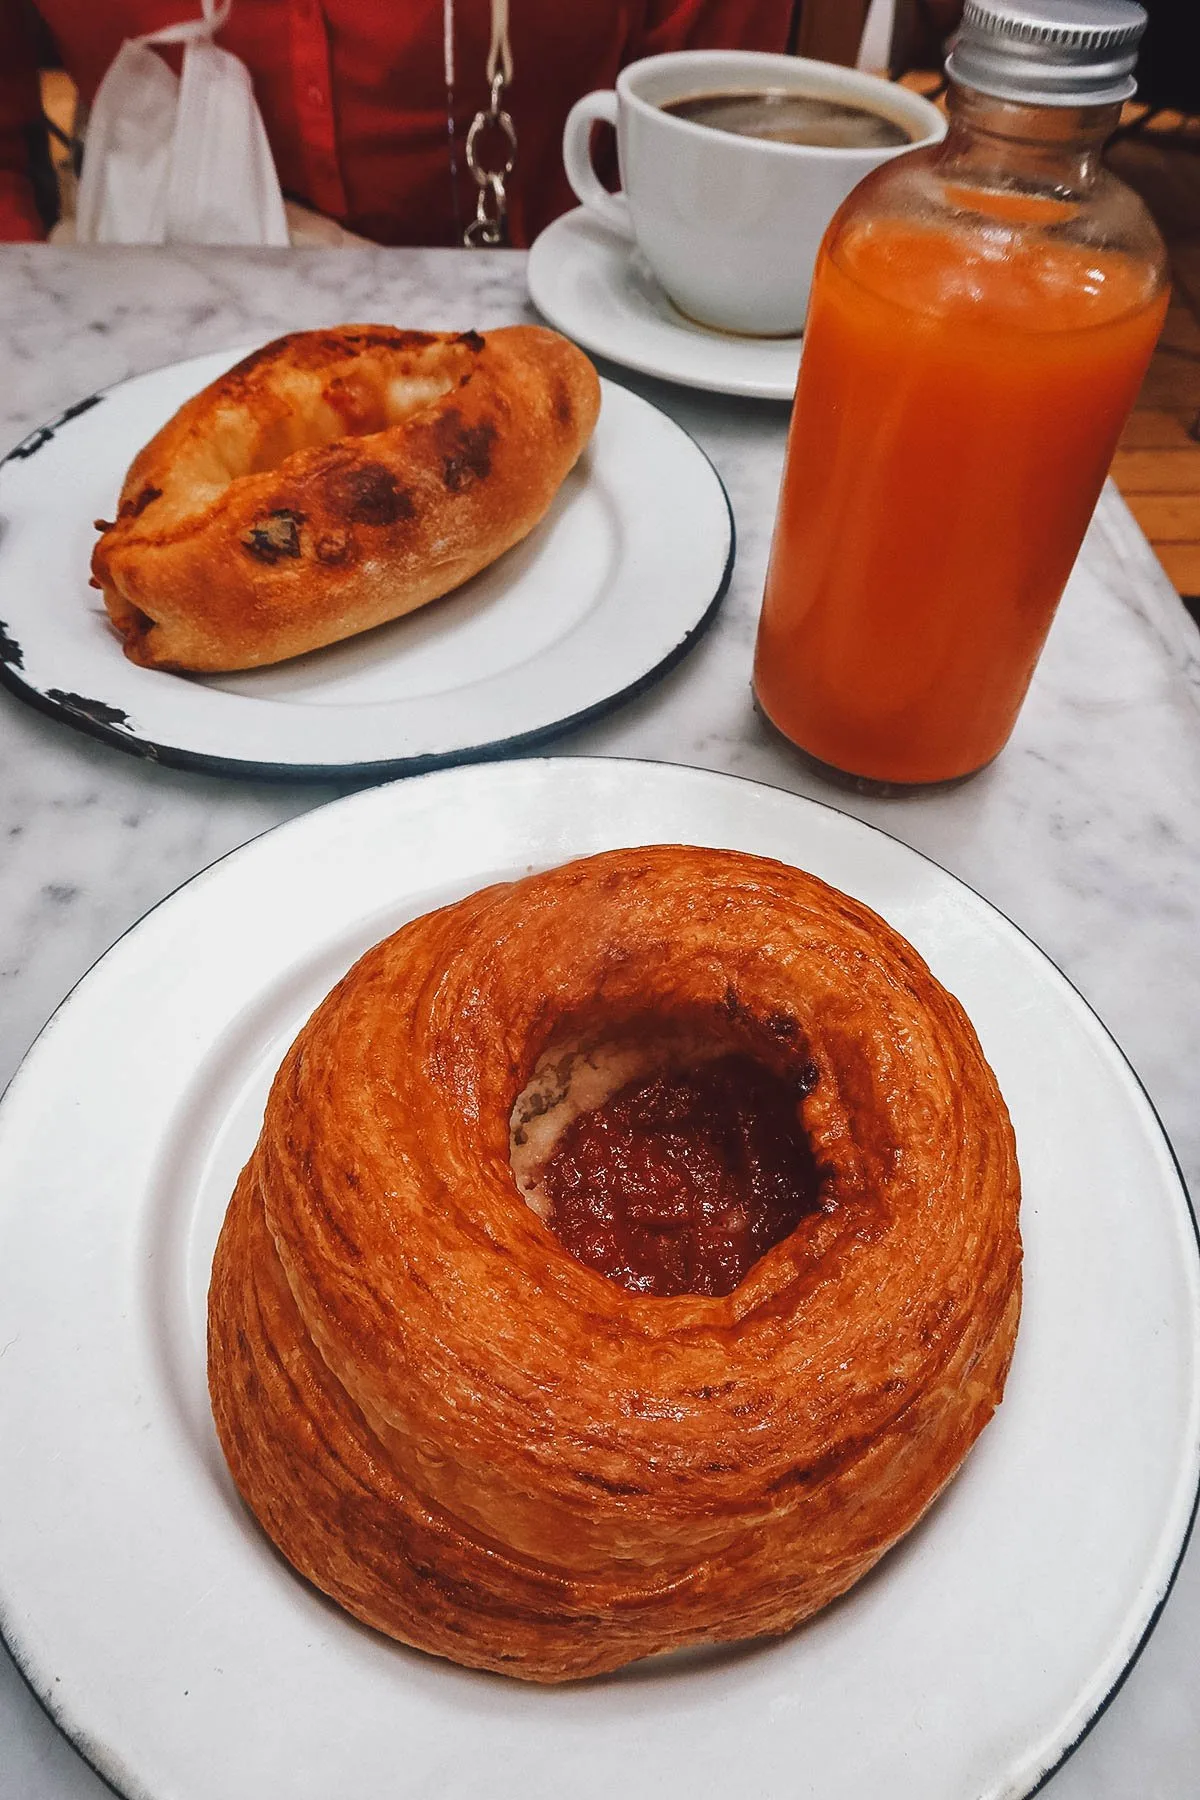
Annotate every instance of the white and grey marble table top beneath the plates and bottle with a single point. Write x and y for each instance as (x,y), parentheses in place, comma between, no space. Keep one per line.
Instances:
(1086,831)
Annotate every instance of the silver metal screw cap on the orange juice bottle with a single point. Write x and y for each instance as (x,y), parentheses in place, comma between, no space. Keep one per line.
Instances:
(1050,53)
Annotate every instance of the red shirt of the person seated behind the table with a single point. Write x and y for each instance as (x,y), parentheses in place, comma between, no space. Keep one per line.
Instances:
(354,93)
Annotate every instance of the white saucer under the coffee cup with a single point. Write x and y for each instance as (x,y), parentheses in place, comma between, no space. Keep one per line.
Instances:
(596,289)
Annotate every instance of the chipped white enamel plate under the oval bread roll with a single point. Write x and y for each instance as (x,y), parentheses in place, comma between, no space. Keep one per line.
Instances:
(600,600)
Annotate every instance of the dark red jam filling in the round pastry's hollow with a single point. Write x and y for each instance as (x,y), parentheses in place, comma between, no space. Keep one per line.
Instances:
(679,1183)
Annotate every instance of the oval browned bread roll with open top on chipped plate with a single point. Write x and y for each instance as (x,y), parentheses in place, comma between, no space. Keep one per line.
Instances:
(334,481)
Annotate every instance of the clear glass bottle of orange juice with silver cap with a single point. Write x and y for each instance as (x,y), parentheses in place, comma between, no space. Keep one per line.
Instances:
(981,319)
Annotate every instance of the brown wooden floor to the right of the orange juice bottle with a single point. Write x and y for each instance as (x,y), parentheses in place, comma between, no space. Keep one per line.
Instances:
(1158,465)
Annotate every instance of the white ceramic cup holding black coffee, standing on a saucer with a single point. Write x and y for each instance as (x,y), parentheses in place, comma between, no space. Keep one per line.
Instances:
(731,226)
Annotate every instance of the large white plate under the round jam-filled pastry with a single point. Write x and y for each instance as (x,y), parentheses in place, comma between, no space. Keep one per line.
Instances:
(184,1657)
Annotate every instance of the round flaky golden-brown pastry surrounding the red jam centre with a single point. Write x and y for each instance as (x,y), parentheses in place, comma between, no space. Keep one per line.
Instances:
(490,1450)
